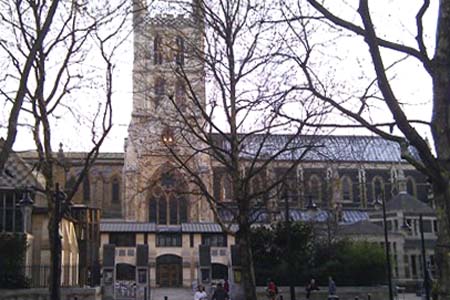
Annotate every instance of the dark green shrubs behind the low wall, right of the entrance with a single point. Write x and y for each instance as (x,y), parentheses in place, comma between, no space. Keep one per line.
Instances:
(346,261)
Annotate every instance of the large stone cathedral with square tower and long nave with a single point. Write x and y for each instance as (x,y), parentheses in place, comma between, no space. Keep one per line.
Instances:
(150,226)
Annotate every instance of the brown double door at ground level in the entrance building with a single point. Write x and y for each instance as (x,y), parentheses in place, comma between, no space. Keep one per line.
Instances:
(169,271)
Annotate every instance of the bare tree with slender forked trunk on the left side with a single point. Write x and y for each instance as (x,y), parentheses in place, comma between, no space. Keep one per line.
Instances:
(47,49)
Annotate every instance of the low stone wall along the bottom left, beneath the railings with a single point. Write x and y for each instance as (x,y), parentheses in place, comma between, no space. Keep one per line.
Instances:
(42,294)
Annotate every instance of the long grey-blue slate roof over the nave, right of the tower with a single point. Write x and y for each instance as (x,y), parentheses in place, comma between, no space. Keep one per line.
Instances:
(322,148)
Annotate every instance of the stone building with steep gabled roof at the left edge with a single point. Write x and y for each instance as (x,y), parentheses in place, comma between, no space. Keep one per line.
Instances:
(16,182)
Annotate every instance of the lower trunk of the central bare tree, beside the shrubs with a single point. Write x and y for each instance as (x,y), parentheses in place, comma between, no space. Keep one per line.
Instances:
(248,277)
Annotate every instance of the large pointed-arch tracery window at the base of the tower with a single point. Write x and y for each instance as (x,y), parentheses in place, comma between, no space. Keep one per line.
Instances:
(168,200)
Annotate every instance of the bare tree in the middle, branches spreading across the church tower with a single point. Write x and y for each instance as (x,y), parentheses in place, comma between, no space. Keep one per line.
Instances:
(235,127)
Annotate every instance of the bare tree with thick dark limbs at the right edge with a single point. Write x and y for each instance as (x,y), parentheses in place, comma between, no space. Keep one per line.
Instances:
(383,91)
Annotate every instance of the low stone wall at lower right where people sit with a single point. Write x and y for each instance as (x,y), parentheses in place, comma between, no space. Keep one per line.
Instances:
(344,293)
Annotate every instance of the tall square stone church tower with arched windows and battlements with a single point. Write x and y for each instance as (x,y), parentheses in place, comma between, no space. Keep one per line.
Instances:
(166,75)
